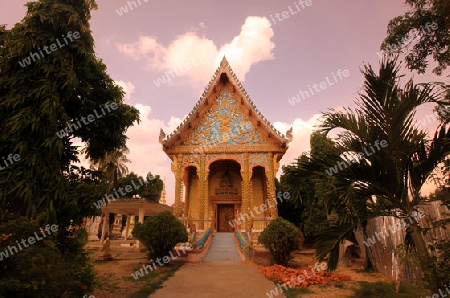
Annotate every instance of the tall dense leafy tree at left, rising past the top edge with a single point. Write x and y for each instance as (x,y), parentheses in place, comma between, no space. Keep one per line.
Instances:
(60,88)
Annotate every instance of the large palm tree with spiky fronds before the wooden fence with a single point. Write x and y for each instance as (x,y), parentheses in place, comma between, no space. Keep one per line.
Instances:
(384,182)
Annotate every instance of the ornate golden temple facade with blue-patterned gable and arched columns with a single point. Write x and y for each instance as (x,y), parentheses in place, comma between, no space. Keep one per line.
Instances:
(225,156)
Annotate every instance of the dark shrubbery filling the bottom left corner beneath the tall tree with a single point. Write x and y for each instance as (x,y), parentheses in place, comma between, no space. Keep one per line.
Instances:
(41,268)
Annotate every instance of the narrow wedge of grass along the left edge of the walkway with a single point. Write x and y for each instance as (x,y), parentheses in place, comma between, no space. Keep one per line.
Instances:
(153,281)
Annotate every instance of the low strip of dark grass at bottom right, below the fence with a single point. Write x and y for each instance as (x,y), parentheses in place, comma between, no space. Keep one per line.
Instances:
(387,290)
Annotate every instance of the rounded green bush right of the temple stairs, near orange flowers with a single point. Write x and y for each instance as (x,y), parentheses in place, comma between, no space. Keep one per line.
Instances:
(281,238)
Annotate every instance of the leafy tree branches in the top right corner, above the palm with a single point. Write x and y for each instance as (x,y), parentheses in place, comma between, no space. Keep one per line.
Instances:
(429,23)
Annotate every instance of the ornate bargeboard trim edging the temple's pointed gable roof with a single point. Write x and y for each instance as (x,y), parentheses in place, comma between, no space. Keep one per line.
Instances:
(202,104)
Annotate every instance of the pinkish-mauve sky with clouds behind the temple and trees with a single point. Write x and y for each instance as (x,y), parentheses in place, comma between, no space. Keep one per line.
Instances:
(278,49)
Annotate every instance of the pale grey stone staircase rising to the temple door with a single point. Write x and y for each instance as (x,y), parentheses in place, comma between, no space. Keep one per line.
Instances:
(222,249)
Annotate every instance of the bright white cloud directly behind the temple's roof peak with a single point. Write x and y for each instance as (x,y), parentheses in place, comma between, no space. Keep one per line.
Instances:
(194,58)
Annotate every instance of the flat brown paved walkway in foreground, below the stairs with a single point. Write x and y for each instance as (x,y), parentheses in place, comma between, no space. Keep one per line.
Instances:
(216,280)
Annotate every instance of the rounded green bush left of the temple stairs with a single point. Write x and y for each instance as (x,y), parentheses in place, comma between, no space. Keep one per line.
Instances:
(160,234)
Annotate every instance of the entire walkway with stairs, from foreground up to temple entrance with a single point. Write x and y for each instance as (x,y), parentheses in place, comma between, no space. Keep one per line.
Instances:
(221,275)
